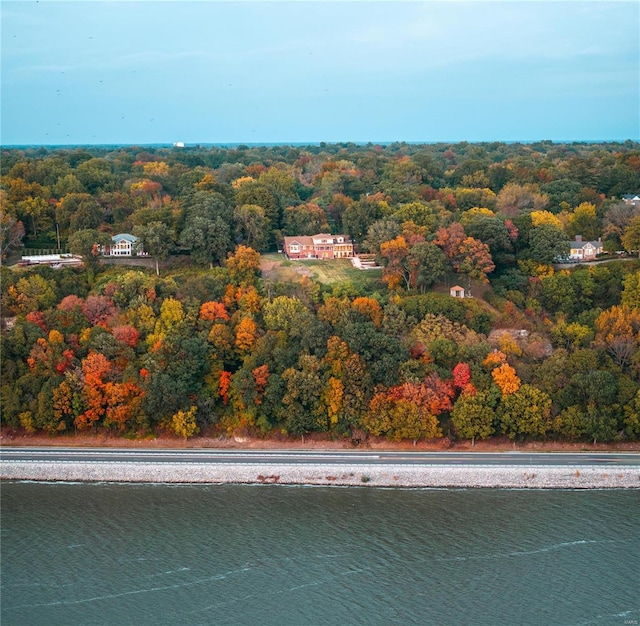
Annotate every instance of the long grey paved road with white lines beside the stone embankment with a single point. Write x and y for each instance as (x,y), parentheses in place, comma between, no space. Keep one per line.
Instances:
(324,457)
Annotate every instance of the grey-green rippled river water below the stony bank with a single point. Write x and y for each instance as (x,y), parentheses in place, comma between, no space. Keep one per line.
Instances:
(225,554)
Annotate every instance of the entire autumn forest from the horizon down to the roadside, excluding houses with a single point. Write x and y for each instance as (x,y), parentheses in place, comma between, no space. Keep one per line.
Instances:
(204,341)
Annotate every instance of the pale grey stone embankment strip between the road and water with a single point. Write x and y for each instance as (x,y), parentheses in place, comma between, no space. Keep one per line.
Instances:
(425,476)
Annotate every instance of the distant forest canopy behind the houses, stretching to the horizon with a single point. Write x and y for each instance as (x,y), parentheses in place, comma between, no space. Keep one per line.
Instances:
(525,200)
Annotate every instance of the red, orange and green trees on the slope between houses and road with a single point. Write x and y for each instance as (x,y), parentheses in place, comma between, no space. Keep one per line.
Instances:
(219,349)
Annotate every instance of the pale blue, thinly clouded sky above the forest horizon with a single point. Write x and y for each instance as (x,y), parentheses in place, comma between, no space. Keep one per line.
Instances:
(126,72)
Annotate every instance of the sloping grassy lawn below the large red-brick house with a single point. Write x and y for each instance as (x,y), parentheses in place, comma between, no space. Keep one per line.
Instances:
(330,272)
